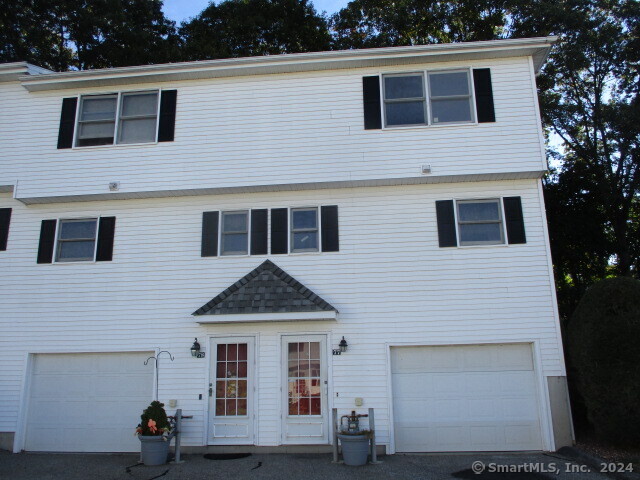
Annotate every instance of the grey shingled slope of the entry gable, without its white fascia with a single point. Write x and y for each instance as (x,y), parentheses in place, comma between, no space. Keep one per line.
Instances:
(266,289)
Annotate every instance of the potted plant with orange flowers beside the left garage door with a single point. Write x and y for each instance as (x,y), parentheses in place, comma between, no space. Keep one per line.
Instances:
(153,432)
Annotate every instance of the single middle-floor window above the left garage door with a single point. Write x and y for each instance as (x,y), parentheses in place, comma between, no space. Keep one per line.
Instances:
(76,240)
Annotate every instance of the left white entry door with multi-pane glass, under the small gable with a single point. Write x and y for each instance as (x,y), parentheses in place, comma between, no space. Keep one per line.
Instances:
(231,391)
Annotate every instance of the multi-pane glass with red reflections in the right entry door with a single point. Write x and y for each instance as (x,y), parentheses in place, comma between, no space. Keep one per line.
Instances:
(304,380)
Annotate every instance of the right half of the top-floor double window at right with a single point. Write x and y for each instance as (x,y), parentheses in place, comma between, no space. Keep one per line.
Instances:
(450,97)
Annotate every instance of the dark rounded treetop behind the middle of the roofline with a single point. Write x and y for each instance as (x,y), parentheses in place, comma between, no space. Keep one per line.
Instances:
(238,28)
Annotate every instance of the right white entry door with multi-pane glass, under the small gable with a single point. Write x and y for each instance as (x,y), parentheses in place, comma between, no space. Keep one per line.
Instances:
(305,415)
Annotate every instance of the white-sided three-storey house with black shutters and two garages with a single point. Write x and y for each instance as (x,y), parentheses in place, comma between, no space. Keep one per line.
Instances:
(270,207)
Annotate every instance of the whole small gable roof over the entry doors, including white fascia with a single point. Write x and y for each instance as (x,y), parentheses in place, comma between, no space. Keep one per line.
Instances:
(267,293)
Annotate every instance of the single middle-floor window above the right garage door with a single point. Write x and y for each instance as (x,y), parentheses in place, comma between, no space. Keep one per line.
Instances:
(480,222)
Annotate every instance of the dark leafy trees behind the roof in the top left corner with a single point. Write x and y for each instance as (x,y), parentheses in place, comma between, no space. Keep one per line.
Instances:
(85,34)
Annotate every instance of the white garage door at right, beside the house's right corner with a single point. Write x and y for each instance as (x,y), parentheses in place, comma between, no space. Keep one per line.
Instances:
(465,398)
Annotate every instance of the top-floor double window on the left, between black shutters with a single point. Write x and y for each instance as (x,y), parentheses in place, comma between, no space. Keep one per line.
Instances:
(136,112)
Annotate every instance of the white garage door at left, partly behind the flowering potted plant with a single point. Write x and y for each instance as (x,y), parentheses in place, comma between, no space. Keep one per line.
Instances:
(87,402)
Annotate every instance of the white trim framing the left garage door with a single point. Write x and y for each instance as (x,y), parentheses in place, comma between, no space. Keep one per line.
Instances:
(19,442)
